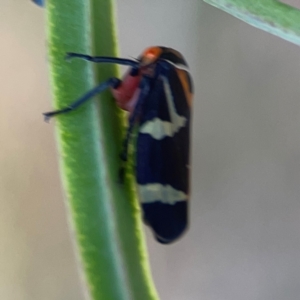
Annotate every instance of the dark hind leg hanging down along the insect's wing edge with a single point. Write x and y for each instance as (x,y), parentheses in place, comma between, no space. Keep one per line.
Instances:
(144,86)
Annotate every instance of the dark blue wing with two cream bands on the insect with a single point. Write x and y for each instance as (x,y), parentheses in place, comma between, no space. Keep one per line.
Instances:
(162,158)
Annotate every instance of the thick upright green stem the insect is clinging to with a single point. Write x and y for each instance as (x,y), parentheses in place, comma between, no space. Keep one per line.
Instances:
(104,213)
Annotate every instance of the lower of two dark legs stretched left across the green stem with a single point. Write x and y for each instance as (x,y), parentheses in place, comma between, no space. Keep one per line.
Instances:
(112,82)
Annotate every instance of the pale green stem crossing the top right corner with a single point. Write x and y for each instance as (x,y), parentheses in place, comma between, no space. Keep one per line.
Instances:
(269,15)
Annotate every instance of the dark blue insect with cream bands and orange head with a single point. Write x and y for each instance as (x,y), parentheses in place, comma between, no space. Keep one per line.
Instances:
(157,93)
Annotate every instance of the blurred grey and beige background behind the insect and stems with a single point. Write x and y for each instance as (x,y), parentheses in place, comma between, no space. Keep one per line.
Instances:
(244,240)
